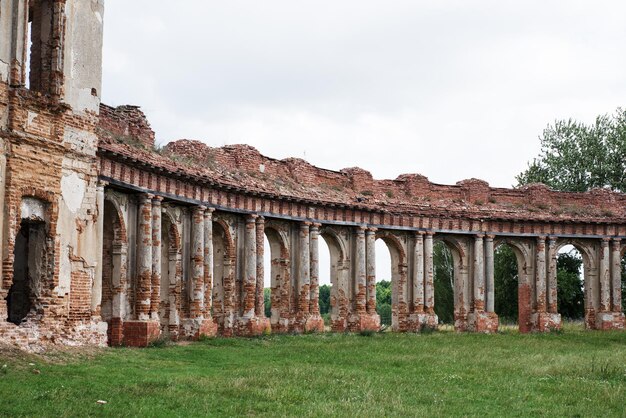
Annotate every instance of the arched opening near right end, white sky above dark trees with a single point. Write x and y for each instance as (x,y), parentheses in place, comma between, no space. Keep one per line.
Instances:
(572,297)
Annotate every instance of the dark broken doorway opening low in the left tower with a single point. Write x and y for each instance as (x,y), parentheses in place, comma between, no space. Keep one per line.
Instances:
(28,270)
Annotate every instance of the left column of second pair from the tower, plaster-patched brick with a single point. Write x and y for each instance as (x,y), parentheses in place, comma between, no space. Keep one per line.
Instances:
(196,307)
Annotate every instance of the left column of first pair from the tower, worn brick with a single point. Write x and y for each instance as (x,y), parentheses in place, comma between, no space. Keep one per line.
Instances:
(144,258)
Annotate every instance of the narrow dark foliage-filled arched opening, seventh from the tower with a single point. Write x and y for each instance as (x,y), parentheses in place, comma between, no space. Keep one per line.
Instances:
(443,266)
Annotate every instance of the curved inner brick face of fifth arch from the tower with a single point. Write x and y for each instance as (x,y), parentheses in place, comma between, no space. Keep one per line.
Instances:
(339,279)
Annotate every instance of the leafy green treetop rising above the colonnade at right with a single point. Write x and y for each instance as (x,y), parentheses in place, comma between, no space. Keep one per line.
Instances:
(578,157)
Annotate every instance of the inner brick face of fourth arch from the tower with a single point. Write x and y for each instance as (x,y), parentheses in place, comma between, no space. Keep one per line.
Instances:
(280,276)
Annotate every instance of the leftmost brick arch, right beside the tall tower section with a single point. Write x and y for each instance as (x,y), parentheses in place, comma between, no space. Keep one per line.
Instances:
(113,304)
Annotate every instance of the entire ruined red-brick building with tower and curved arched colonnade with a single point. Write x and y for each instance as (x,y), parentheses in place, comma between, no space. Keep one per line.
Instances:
(107,240)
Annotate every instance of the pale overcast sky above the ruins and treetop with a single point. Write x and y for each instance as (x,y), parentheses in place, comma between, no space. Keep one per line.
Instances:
(448,89)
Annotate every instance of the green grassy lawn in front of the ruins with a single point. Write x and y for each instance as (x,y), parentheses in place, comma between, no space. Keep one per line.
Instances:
(575,373)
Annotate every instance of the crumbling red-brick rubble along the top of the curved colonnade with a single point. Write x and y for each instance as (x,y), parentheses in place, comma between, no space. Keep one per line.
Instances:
(125,131)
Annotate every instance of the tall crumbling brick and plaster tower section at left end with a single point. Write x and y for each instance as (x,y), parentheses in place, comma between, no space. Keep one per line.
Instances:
(50,79)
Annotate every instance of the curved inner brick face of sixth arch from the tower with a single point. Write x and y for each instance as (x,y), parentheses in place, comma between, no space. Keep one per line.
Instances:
(399,280)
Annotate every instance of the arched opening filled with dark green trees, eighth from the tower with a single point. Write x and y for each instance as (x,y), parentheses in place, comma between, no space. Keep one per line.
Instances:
(506,286)
